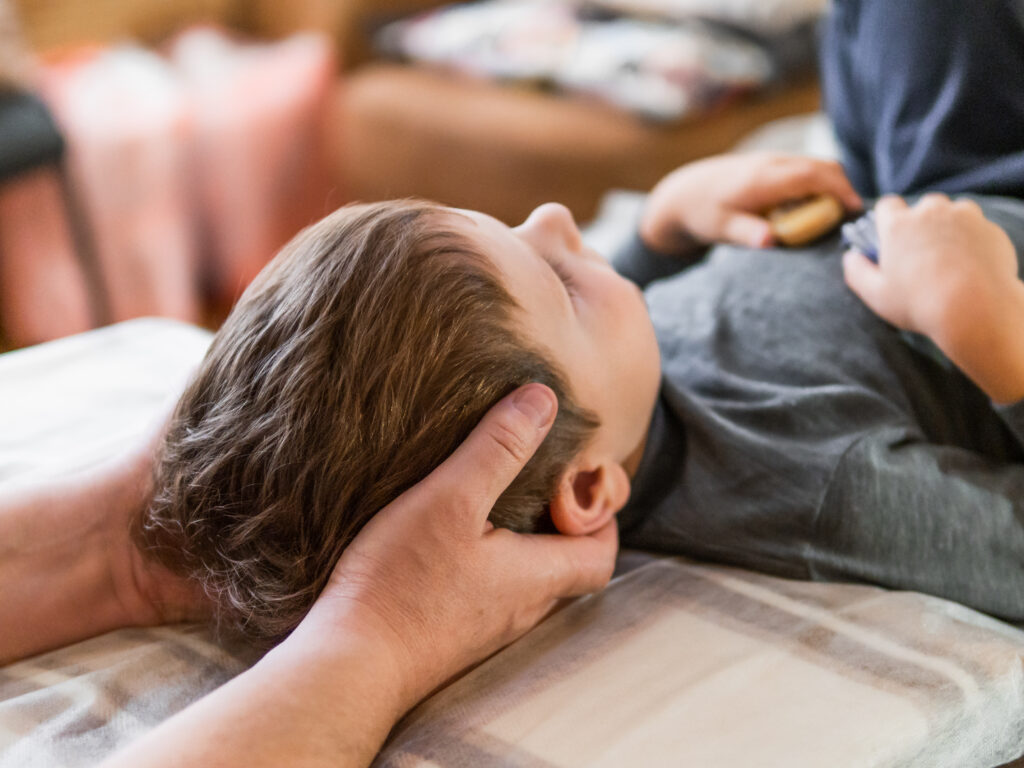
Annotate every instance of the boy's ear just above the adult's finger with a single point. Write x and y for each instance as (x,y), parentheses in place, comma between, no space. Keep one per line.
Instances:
(588,497)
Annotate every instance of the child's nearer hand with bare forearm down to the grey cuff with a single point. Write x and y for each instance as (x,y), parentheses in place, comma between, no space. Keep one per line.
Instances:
(947,272)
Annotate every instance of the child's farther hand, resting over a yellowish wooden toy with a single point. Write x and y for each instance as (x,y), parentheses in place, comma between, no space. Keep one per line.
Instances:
(722,199)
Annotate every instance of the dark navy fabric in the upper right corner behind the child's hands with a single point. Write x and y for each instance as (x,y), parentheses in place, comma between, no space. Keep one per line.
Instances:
(927,95)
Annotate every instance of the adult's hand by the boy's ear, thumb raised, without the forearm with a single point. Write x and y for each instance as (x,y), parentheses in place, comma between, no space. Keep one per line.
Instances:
(439,586)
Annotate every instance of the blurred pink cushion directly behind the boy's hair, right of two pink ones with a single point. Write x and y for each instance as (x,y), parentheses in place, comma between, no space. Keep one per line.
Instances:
(259,146)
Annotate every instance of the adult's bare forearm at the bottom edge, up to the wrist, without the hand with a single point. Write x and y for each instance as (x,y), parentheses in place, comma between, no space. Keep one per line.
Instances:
(312,702)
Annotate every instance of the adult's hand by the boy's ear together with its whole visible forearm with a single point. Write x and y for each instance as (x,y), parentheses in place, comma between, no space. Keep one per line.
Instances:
(428,589)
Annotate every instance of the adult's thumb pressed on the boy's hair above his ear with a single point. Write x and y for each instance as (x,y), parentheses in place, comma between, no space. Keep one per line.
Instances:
(471,481)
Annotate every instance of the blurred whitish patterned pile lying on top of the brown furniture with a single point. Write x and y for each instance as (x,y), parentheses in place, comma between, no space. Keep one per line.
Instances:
(662,70)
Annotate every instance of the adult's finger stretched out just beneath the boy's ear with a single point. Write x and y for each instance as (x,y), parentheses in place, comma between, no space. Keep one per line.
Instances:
(557,566)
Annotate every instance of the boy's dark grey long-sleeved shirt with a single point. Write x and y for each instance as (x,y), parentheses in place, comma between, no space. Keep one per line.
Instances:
(799,435)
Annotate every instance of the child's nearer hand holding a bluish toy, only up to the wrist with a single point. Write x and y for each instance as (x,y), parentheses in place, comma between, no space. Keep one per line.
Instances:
(941,263)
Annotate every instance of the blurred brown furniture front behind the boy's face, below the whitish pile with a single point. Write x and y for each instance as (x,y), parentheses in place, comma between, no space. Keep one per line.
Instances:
(402,132)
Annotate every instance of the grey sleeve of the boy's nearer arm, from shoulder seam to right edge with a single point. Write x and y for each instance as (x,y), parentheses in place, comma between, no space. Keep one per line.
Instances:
(912,515)
